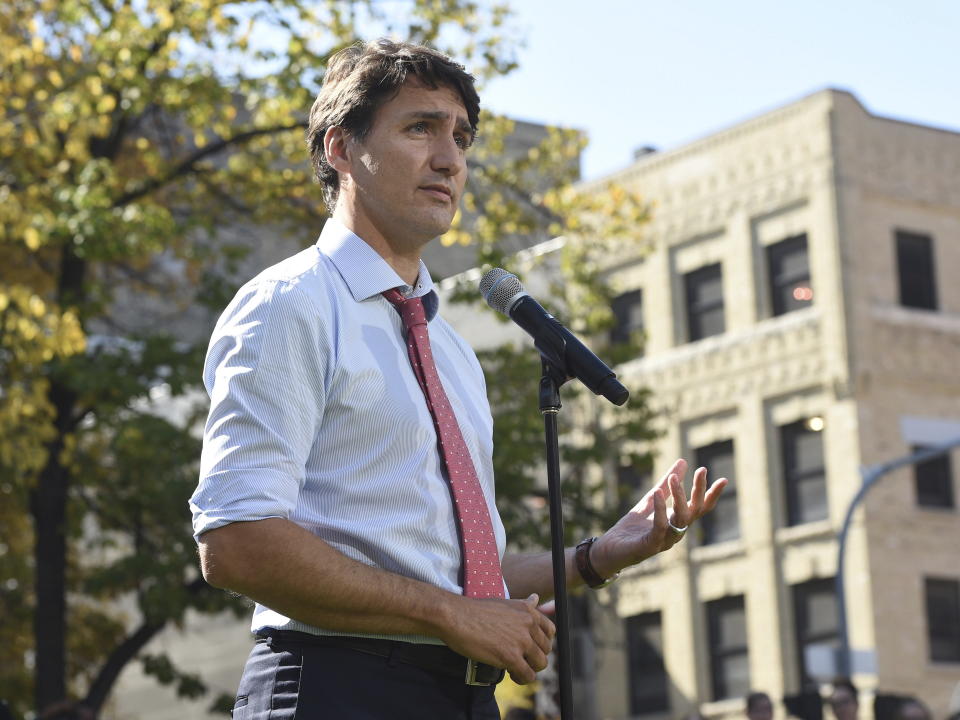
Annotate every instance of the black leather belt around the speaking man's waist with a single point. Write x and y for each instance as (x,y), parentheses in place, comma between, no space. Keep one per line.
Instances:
(433,658)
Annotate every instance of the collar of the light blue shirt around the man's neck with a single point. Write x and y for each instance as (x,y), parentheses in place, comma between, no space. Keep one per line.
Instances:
(365,271)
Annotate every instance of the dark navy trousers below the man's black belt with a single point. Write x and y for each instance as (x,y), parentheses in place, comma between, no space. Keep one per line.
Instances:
(292,680)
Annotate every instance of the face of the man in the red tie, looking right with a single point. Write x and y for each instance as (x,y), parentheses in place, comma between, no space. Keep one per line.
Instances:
(407,175)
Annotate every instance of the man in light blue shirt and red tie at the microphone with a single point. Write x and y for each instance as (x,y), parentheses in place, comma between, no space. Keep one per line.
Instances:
(338,490)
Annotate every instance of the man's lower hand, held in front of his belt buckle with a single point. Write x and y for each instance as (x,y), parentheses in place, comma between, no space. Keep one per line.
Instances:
(510,634)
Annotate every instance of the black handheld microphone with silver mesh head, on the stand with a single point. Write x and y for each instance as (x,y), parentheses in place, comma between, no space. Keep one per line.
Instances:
(504,293)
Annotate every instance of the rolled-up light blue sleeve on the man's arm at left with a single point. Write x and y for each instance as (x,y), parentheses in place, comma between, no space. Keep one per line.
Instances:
(265,373)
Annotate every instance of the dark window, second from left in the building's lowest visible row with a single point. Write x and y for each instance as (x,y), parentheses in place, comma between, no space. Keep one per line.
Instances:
(729,661)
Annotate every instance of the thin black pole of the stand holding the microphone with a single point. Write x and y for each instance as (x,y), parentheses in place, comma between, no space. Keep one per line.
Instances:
(550,407)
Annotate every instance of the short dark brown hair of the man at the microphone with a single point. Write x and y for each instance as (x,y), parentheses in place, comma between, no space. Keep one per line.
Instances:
(361,78)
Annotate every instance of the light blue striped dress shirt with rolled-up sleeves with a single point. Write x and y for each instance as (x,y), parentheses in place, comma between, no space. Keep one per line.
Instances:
(316,416)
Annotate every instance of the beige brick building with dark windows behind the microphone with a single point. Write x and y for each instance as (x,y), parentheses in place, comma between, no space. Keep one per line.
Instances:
(802,320)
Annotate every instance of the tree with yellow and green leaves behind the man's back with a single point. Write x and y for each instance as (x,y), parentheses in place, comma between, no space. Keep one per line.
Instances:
(133,135)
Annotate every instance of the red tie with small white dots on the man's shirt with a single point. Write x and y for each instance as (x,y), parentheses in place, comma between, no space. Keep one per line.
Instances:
(482,576)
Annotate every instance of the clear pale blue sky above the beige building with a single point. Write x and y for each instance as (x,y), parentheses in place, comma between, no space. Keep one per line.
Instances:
(665,73)
